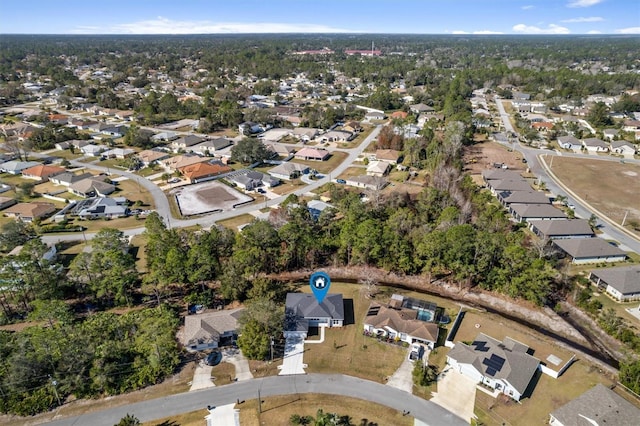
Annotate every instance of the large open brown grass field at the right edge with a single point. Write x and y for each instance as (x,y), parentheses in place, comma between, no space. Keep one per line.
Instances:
(616,192)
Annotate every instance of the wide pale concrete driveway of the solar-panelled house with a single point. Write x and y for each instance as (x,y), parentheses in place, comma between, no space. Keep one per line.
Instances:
(456,393)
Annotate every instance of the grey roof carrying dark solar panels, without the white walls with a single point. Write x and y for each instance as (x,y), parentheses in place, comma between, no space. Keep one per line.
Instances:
(507,360)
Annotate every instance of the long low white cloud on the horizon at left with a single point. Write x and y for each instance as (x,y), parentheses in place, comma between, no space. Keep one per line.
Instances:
(162,25)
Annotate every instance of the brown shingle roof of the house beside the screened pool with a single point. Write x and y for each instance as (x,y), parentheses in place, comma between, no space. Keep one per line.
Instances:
(401,320)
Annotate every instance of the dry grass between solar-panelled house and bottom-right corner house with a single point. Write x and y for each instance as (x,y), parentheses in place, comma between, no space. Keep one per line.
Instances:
(548,395)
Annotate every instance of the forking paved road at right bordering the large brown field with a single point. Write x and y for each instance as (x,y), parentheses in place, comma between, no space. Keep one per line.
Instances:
(540,163)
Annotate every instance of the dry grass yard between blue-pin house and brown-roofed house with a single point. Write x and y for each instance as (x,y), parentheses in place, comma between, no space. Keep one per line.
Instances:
(346,350)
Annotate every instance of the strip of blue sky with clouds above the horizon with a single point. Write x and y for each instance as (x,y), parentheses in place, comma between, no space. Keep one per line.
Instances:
(320,16)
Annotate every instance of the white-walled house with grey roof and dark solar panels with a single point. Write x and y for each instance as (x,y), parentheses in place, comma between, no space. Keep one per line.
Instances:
(506,367)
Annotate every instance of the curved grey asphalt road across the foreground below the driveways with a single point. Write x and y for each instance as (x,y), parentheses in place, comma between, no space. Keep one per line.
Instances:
(334,384)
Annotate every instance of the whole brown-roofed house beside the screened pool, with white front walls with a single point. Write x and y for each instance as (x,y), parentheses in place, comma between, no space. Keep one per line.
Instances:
(401,324)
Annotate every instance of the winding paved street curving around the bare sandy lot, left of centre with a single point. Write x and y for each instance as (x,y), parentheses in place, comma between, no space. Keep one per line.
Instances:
(162,203)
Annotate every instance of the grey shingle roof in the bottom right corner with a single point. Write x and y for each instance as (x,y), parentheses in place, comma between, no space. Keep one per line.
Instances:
(597,406)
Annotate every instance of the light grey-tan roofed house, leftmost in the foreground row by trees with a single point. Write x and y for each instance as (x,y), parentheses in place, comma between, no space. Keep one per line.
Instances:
(210,330)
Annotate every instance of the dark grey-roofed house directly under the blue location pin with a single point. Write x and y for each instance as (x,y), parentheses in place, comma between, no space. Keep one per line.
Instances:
(302,311)
